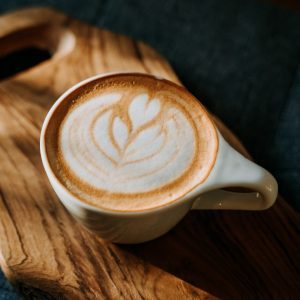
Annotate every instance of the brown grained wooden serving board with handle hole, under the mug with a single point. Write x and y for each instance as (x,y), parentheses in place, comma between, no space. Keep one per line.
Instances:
(44,252)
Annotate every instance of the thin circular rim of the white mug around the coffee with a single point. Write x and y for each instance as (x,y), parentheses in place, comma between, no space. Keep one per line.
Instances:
(54,180)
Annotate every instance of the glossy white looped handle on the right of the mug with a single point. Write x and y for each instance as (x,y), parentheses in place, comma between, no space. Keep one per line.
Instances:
(234,170)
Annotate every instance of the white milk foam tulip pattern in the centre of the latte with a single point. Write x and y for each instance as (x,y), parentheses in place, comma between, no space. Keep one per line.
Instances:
(137,150)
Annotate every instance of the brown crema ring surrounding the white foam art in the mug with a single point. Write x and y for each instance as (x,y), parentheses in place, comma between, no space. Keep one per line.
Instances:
(171,96)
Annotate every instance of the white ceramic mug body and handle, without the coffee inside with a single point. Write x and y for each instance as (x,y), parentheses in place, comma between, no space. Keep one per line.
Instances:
(231,169)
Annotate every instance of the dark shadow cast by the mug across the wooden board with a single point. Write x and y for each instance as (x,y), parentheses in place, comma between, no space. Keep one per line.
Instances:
(230,254)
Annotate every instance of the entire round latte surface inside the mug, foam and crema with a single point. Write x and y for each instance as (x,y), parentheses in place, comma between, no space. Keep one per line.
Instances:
(130,142)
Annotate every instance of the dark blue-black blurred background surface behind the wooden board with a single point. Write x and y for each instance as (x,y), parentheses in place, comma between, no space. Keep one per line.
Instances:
(239,57)
